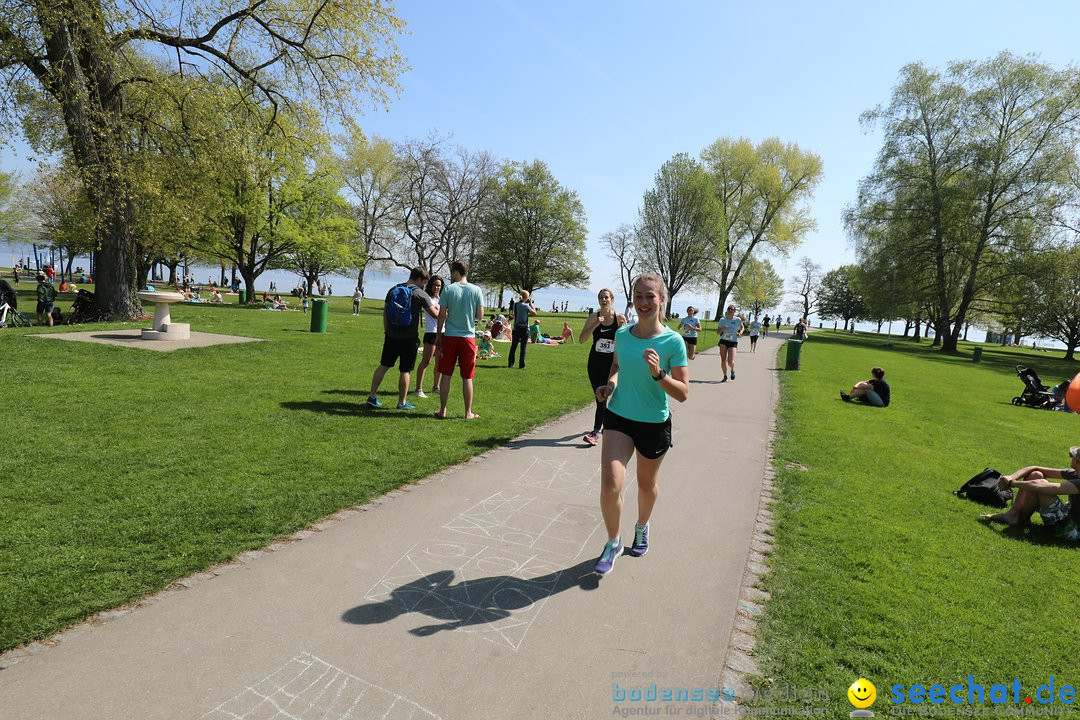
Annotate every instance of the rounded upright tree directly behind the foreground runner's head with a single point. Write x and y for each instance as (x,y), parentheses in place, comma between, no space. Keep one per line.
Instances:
(674,230)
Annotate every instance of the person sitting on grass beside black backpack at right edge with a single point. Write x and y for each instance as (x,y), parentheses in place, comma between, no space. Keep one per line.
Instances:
(1037,493)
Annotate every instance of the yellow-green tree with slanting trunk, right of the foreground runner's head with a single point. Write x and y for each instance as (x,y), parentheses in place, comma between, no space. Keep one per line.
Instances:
(760,193)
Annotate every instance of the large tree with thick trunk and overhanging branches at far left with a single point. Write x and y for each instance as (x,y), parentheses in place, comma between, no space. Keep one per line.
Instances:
(79,58)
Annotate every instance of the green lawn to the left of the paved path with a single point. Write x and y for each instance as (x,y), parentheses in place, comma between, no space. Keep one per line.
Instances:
(126,469)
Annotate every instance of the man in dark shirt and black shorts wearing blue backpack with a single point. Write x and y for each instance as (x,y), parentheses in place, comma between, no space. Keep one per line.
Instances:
(401,321)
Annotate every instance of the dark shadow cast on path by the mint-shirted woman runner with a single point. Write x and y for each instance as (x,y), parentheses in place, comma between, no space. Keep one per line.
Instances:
(470,603)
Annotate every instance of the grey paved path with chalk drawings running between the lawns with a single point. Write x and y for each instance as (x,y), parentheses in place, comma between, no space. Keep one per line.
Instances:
(470,595)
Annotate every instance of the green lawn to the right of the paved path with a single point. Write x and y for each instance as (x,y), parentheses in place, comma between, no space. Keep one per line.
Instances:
(880,572)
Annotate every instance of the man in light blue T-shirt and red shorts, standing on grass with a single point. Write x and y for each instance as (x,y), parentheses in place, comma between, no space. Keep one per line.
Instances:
(462,306)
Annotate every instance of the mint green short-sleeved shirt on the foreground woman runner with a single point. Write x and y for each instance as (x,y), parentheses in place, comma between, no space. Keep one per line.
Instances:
(638,397)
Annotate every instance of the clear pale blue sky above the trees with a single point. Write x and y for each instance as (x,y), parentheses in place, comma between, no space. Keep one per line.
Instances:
(605,92)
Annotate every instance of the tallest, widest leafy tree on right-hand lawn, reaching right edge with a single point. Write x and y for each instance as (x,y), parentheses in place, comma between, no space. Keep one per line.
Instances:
(974,171)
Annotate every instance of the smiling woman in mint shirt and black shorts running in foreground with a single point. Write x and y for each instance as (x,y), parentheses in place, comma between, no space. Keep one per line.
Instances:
(650,366)
